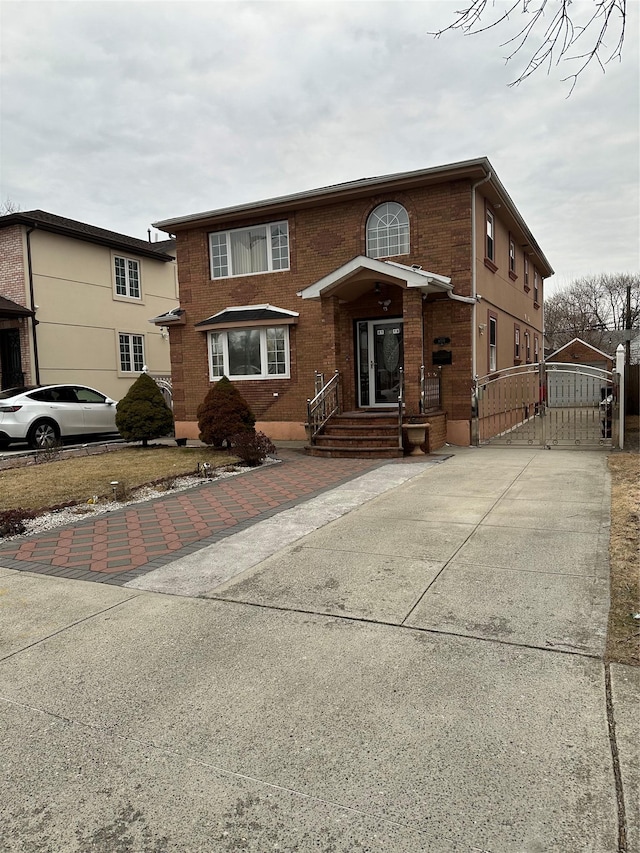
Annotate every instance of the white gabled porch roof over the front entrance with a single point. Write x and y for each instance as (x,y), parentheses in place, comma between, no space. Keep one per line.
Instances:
(353,279)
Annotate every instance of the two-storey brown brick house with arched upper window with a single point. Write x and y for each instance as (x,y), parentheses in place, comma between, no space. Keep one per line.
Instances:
(432,271)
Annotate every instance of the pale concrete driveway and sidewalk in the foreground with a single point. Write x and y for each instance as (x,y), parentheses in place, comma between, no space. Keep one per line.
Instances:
(409,662)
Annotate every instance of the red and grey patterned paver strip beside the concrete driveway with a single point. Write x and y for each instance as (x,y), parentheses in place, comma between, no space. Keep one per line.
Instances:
(124,544)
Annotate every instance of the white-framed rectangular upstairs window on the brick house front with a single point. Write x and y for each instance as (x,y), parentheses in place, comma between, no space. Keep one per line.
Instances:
(244,251)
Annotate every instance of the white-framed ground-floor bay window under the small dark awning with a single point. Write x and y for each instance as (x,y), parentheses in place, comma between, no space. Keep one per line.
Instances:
(257,353)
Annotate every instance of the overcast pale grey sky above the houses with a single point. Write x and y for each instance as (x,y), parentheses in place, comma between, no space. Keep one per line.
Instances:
(120,114)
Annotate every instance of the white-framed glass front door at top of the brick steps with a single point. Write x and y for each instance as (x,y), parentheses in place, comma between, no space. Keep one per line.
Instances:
(380,357)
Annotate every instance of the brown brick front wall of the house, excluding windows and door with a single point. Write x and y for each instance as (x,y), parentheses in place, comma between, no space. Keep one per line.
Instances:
(322,239)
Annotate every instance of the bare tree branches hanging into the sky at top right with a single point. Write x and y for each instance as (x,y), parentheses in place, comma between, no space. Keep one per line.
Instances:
(549,31)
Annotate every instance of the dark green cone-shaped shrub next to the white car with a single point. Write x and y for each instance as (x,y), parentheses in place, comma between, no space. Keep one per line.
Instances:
(143,413)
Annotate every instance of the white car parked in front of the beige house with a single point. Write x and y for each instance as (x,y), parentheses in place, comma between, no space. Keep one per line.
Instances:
(46,414)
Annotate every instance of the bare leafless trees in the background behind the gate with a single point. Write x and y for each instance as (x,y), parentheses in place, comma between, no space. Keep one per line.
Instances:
(592,308)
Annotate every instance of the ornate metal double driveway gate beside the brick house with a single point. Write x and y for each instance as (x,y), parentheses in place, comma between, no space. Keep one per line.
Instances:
(547,405)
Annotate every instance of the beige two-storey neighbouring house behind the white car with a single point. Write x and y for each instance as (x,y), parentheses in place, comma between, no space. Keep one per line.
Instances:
(75,304)
